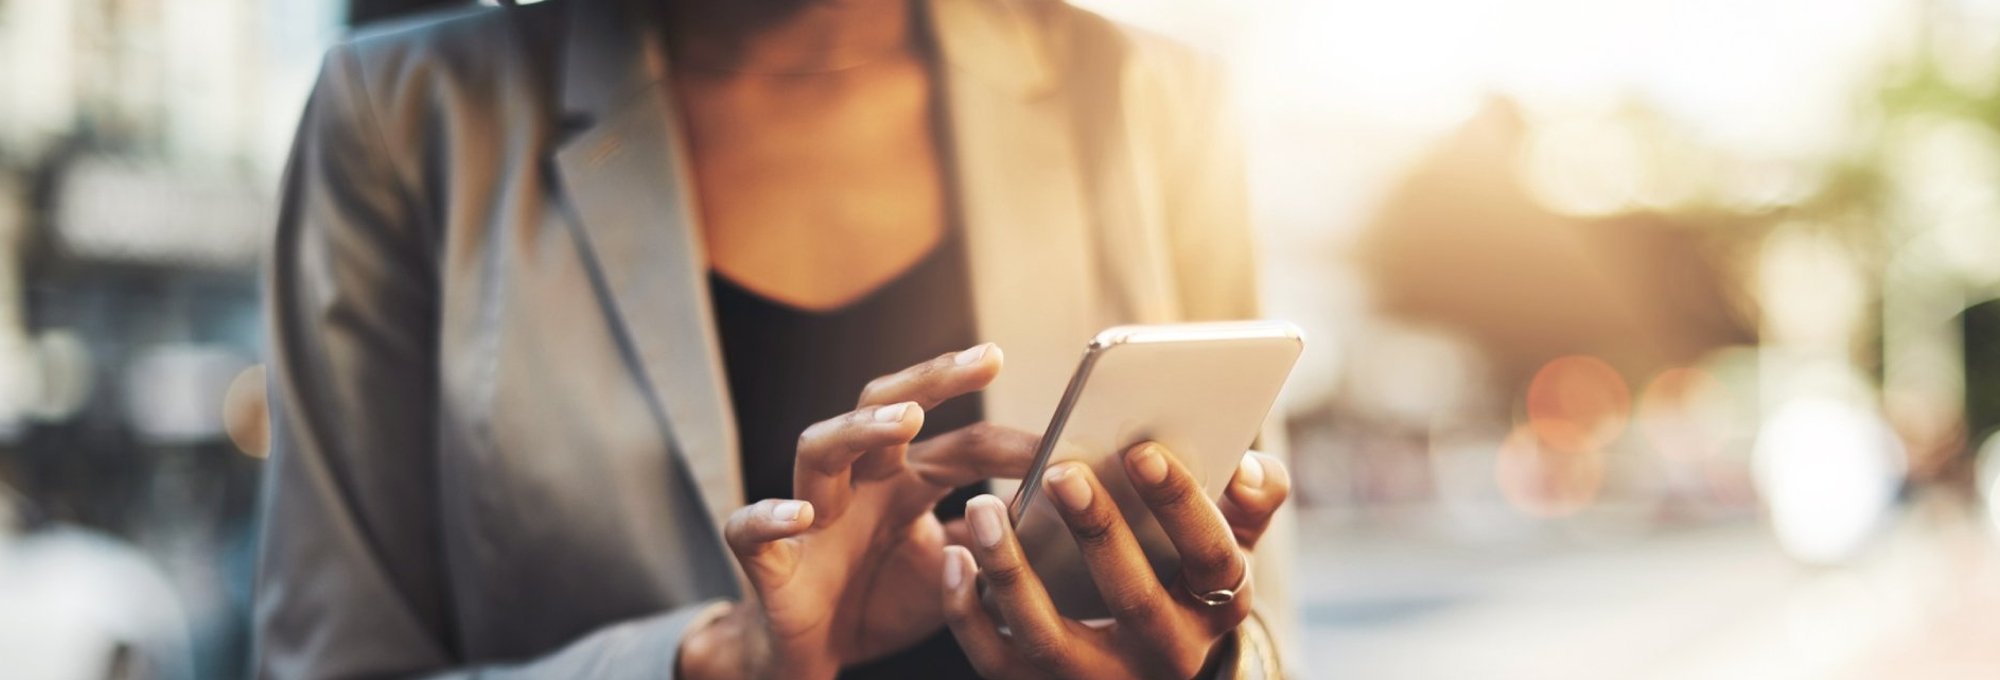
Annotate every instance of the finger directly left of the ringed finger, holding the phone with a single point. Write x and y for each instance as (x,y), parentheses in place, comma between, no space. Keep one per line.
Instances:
(1115,559)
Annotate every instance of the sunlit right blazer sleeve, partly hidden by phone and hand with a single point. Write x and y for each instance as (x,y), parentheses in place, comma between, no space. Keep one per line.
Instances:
(1217,277)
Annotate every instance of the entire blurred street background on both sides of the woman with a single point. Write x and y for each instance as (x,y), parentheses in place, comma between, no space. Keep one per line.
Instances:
(1651,337)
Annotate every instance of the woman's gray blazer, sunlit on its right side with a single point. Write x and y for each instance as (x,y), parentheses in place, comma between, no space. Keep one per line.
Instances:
(501,435)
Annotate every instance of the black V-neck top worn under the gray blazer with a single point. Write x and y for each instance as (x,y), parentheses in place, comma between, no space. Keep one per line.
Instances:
(791,369)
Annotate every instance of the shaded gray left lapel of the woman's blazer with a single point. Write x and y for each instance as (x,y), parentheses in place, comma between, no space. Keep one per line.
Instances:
(633,205)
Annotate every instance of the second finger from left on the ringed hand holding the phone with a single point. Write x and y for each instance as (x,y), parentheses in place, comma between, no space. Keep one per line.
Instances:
(1041,637)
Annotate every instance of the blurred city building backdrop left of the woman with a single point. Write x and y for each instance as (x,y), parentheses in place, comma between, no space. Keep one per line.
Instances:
(141,145)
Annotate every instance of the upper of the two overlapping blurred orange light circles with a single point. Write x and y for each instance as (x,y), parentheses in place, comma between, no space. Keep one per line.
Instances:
(1579,405)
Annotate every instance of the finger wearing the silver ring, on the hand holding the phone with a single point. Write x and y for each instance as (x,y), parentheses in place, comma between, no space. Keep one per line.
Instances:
(1209,555)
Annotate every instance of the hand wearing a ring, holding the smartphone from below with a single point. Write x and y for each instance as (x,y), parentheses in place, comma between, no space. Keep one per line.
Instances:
(1163,629)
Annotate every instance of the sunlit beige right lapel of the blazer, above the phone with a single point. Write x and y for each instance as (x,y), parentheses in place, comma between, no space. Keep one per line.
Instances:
(1021,197)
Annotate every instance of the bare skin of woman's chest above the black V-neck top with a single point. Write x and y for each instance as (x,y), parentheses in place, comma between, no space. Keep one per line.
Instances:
(815,189)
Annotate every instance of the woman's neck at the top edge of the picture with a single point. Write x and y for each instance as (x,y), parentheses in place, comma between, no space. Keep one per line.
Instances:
(787,37)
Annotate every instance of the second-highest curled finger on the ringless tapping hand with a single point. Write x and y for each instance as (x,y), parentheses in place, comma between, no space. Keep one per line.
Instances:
(829,449)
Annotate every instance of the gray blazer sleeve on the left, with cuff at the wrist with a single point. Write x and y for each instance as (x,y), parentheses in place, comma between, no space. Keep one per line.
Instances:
(351,577)
